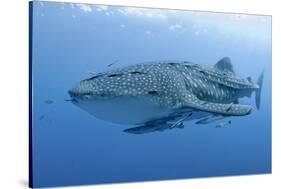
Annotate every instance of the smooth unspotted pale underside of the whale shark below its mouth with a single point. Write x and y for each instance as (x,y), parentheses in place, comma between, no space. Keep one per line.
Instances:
(124,110)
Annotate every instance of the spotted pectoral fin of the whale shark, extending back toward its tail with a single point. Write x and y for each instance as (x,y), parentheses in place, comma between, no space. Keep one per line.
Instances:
(218,108)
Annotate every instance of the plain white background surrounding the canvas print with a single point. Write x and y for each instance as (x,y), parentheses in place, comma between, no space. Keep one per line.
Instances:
(14,92)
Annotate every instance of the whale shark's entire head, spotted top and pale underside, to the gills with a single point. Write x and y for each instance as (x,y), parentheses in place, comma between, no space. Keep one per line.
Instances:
(115,94)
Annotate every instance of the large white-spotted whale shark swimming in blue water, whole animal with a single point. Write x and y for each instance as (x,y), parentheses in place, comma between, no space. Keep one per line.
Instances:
(163,95)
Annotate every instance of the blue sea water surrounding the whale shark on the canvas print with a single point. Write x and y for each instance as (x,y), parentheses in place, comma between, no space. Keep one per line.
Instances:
(71,147)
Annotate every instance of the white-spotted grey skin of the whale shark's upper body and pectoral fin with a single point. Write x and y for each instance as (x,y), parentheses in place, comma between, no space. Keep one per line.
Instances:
(173,84)
